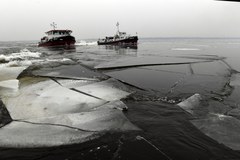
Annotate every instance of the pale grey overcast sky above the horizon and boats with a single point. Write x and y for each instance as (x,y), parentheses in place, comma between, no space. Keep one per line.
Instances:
(29,19)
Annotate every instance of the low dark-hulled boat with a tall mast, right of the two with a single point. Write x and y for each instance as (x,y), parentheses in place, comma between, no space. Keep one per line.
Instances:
(120,38)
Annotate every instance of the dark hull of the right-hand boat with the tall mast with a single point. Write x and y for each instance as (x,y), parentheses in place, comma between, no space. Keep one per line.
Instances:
(130,40)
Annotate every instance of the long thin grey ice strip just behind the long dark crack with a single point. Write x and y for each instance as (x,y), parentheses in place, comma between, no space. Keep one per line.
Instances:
(146,61)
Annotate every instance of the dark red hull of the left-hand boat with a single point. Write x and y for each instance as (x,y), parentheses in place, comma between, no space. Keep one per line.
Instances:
(66,41)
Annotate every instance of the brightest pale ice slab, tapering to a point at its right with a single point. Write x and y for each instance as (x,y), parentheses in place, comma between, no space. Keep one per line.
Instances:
(39,97)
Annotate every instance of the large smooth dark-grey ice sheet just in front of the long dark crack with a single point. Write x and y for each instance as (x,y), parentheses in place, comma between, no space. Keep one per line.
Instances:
(176,79)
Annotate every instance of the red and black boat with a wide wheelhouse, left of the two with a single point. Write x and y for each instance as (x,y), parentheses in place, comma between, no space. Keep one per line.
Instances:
(57,38)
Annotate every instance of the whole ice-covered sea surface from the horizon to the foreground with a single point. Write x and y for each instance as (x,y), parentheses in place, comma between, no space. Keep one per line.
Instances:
(163,99)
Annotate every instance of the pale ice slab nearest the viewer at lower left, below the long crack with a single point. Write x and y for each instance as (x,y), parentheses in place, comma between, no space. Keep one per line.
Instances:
(64,129)
